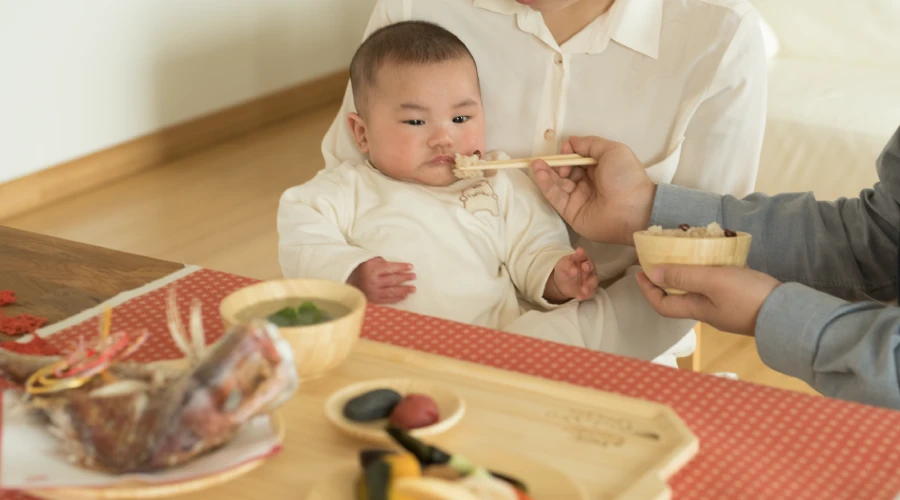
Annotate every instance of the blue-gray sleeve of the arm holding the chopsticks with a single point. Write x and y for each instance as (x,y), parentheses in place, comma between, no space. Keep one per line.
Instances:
(847,247)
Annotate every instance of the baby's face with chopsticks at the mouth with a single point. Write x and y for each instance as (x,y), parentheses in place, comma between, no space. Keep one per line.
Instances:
(418,117)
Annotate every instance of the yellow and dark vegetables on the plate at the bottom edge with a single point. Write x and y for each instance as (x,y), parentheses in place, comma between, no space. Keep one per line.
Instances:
(424,471)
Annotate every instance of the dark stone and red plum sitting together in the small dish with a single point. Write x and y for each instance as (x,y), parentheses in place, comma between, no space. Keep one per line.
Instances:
(411,411)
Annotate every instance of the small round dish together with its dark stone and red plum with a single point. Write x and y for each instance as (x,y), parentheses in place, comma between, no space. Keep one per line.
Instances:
(419,406)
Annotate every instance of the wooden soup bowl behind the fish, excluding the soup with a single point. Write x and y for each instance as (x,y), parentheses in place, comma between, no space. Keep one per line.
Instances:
(317,348)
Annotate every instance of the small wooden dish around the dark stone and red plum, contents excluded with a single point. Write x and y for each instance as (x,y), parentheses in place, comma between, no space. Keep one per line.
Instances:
(450,409)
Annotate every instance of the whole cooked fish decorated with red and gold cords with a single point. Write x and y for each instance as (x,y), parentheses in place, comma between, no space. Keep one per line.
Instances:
(121,416)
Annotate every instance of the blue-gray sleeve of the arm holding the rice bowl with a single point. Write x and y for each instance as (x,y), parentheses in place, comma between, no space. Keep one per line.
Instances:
(843,350)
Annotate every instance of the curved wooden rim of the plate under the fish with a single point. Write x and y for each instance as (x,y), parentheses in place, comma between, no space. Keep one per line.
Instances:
(134,490)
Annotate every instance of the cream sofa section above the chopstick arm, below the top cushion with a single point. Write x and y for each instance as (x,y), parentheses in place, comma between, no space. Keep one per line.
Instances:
(826,126)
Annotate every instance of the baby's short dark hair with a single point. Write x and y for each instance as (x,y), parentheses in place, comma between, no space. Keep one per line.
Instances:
(406,42)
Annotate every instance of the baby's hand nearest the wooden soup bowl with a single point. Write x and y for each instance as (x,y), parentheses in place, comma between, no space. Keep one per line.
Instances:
(383,281)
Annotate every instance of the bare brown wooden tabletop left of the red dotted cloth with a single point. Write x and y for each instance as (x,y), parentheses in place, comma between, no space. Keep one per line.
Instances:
(55,278)
